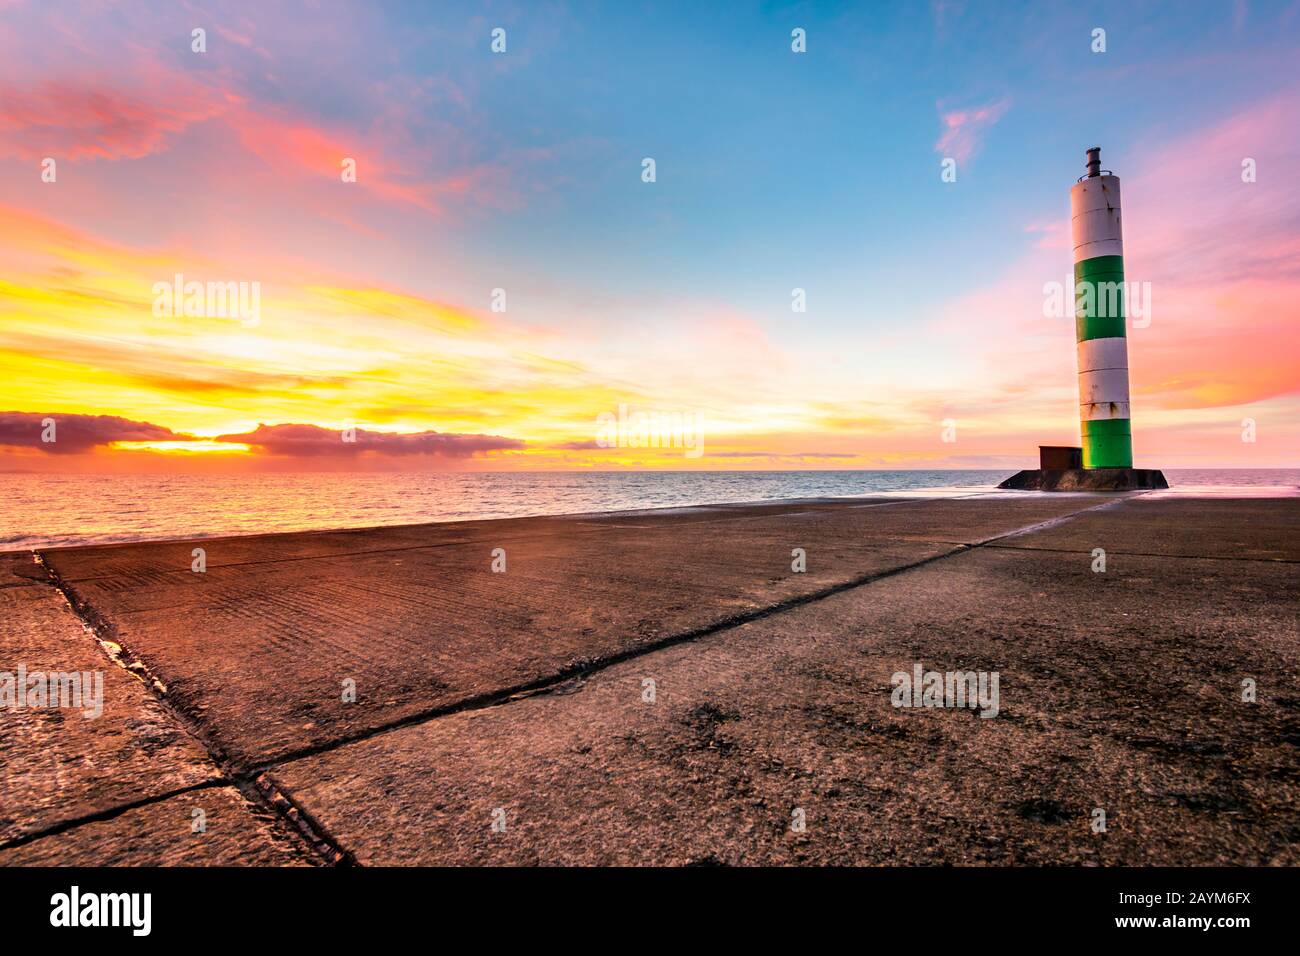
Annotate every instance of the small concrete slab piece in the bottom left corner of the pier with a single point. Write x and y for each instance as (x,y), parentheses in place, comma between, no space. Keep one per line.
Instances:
(236,833)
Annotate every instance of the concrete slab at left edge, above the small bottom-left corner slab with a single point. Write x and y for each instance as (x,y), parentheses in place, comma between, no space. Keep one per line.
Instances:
(55,764)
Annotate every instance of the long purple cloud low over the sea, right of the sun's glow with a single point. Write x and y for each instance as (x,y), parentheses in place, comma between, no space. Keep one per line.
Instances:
(309,442)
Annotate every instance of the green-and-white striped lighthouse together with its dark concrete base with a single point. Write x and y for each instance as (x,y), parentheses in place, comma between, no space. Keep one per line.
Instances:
(1106,461)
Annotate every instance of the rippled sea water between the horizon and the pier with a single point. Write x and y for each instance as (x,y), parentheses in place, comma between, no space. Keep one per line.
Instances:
(46,512)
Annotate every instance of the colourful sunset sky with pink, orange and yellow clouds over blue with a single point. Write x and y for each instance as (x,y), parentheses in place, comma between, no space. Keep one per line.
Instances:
(504,278)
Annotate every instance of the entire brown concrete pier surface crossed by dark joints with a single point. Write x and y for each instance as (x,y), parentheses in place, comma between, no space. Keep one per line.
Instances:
(662,687)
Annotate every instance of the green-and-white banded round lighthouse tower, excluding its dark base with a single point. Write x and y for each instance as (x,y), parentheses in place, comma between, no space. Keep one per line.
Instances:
(1099,315)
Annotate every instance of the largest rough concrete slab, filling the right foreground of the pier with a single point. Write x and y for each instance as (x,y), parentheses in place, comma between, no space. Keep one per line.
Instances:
(1119,693)
